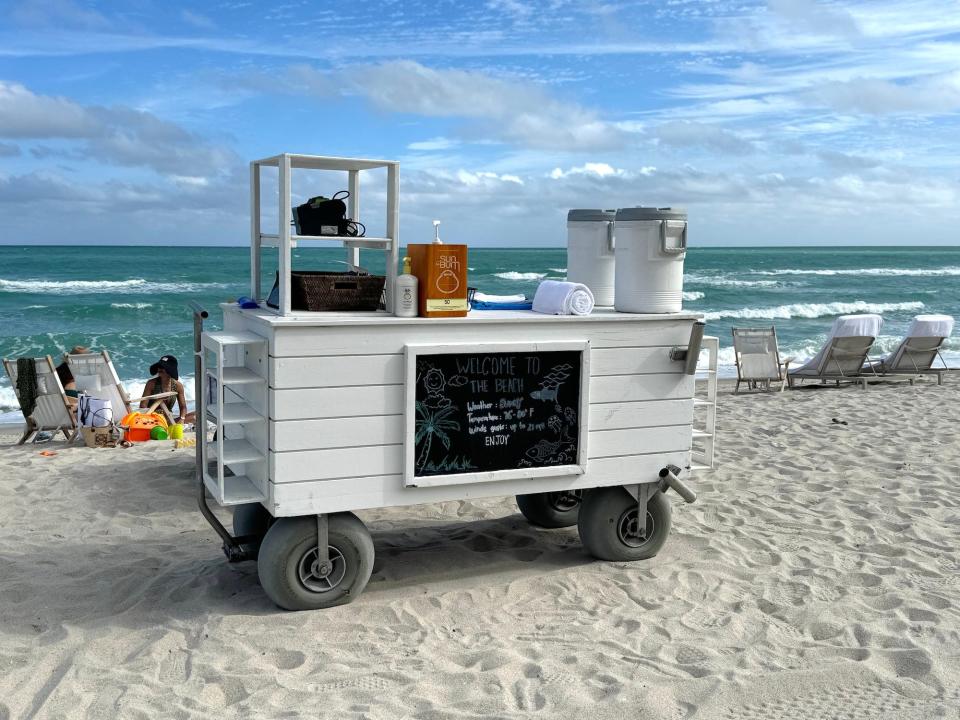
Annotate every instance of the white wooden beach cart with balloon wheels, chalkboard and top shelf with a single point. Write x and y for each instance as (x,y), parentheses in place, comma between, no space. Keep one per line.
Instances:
(587,420)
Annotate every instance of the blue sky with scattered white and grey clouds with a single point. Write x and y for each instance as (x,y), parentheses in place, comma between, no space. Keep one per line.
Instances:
(776,122)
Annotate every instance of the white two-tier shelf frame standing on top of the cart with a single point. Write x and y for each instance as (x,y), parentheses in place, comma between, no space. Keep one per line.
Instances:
(284,240)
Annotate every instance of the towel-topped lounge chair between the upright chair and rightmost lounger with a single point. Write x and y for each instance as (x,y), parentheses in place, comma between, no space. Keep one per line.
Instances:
(844,357)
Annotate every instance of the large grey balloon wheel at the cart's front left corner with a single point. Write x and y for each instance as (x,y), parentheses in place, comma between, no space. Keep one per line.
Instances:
(288,555)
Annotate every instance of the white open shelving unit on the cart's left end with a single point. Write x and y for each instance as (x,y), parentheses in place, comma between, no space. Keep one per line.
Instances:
(235,462)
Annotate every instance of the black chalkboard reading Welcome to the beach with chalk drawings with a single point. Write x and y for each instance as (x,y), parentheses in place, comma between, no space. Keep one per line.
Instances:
(496,411)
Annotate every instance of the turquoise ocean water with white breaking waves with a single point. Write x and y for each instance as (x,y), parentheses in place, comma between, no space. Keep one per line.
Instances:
(133,300)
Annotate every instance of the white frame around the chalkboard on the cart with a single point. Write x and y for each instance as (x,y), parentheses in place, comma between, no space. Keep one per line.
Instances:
(410,479)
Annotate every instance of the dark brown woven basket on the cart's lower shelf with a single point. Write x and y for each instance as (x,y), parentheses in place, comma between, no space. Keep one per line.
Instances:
(318,290)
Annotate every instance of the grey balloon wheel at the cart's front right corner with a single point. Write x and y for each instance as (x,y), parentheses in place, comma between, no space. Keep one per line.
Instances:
(609,529)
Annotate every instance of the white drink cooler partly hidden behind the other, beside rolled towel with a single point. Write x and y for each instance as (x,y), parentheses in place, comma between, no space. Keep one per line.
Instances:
(590,248)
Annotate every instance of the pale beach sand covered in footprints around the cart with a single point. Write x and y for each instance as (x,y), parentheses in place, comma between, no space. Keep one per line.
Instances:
(817,576)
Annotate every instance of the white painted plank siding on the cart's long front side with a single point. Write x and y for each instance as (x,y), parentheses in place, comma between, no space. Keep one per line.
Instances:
(336,406)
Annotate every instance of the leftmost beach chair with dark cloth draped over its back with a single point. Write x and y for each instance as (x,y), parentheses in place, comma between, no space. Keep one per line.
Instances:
(50,409)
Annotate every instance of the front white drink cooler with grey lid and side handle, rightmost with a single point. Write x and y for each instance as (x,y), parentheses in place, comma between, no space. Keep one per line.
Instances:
(651,245)
